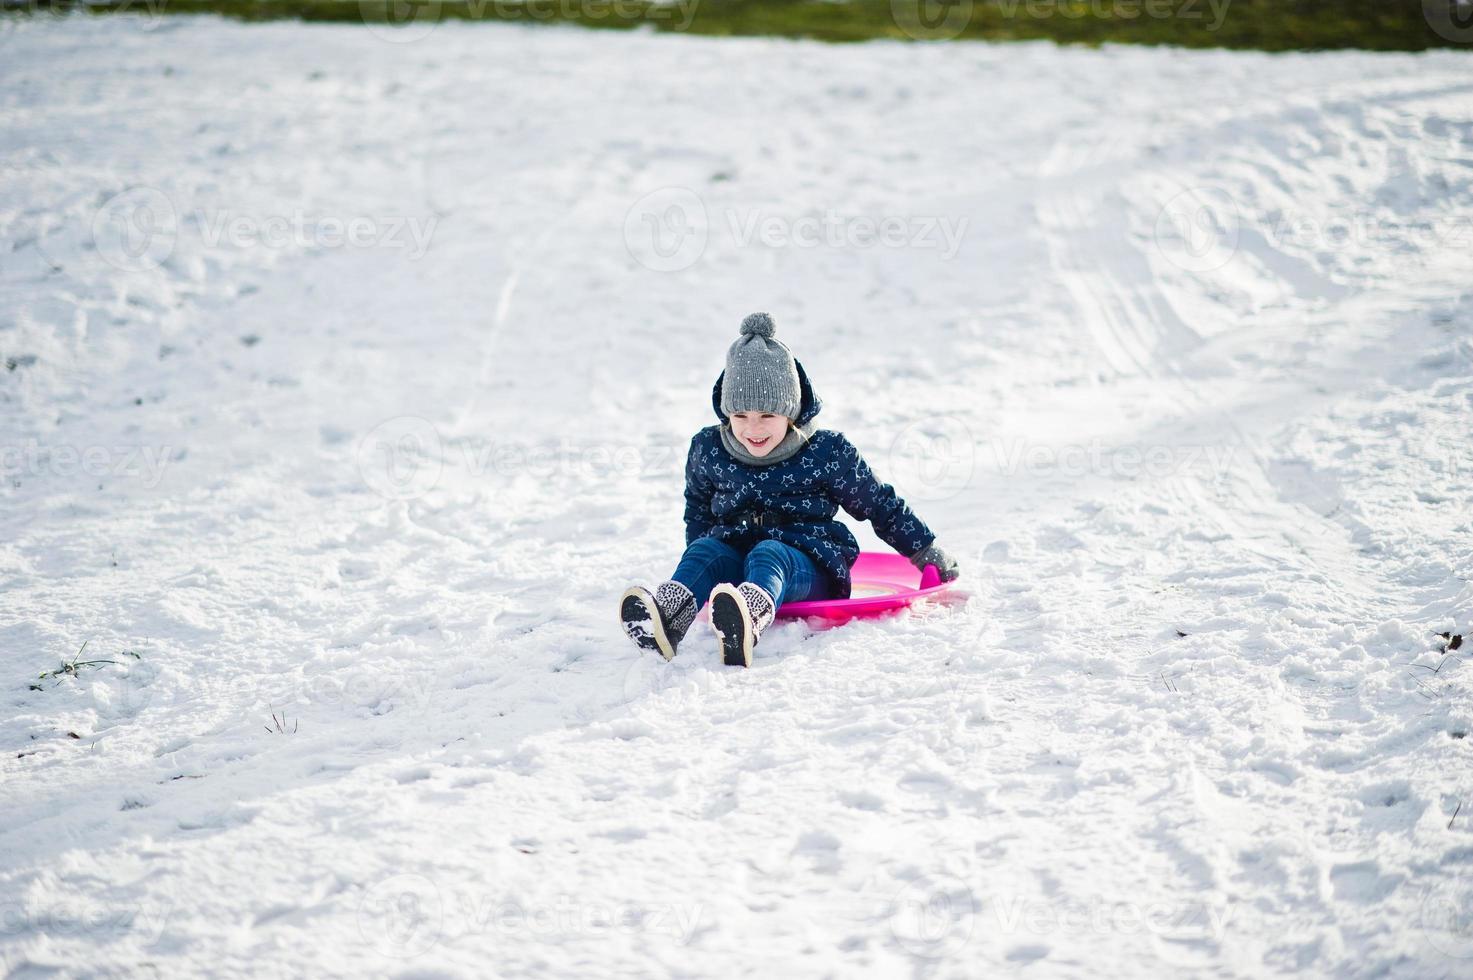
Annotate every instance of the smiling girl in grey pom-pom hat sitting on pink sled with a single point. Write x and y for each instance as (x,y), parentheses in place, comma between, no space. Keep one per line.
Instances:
(761,496)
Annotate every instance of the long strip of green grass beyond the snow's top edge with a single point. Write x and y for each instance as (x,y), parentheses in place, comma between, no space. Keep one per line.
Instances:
(1272,26)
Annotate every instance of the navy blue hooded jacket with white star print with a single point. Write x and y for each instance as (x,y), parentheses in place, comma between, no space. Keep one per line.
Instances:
(724,497)
